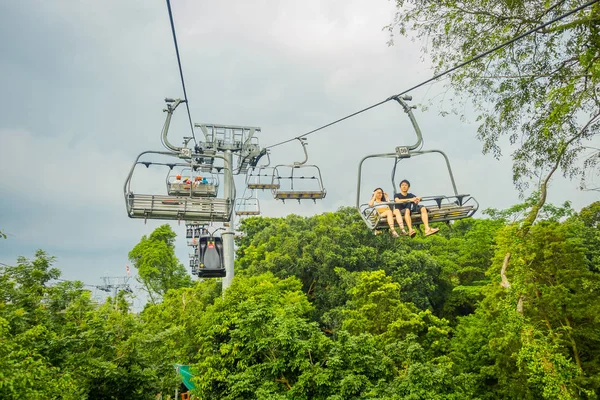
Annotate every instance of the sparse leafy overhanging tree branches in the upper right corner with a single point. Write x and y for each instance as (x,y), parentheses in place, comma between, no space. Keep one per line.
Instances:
(541,91)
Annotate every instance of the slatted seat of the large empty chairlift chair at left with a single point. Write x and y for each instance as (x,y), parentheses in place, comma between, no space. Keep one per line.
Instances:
(177,208)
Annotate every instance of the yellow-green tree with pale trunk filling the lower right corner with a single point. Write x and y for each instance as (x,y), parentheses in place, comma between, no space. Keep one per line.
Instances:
(535,336)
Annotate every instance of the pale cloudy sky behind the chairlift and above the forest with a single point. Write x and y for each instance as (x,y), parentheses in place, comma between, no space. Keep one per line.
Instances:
(83,84)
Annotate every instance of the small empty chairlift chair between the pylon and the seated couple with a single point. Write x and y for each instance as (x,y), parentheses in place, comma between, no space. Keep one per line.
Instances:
(298,182)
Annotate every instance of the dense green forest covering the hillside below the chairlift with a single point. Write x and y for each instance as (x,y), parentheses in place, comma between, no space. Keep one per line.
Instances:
(322,309)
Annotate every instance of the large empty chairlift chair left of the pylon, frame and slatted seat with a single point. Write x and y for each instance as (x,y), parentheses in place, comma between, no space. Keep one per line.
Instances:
(175,207)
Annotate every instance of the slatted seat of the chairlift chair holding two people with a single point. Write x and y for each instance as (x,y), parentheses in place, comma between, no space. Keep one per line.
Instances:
(439,209)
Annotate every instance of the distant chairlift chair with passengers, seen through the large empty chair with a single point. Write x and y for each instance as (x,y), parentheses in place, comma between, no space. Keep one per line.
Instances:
(194,184)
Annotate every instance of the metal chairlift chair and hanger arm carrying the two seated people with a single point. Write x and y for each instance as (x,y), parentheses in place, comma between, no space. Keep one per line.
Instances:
(441,208)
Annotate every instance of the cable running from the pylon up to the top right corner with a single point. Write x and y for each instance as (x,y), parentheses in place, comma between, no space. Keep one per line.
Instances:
(477,57)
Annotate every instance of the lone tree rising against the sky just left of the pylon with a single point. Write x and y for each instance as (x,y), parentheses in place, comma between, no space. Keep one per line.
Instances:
(158,268)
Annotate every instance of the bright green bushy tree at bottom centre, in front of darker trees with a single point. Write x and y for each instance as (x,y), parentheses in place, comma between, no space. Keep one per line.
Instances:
(257,342)
